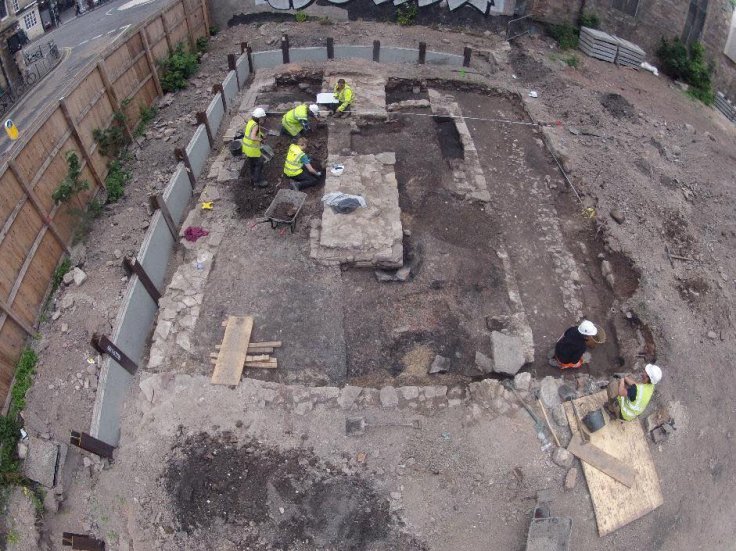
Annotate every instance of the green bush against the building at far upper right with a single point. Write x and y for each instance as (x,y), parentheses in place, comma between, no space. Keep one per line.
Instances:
(690,66)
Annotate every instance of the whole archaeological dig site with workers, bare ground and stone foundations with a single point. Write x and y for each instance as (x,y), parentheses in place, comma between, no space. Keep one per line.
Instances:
(490,323)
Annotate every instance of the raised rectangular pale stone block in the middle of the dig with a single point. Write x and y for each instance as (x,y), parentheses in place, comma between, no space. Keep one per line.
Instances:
(366,237)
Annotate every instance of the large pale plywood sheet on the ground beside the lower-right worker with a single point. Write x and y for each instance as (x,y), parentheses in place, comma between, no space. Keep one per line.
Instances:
(616,505)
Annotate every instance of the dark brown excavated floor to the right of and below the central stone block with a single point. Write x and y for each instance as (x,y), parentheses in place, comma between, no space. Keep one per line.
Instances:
(396,329)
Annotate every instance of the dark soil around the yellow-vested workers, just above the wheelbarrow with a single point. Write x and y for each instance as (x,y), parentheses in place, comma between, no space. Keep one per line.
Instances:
(251,201)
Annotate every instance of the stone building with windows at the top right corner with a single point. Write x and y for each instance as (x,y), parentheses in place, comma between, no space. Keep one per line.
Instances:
(645,22)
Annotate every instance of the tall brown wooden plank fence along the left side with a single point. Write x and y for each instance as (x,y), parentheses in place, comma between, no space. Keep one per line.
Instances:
(34,232)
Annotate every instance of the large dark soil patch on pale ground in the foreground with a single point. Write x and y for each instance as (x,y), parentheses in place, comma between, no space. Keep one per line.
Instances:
(270,498)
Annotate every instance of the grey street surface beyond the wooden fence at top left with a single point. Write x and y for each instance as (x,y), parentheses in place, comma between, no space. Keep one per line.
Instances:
(82,39)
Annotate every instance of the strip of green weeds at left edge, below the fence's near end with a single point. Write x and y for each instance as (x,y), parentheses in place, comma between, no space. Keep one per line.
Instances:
(10,424)
